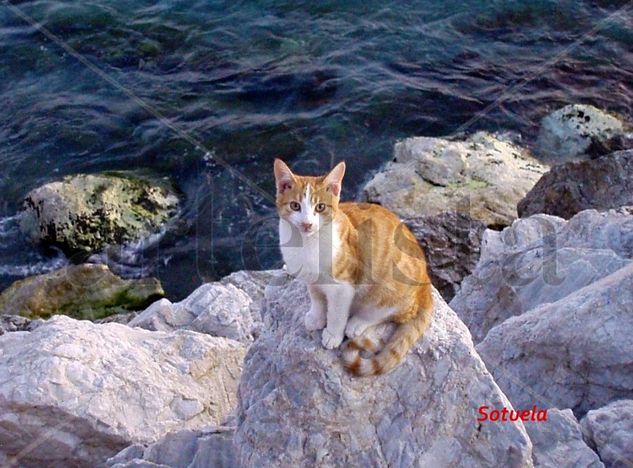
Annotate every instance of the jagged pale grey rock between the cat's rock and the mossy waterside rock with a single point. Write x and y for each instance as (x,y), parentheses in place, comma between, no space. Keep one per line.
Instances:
(228,308)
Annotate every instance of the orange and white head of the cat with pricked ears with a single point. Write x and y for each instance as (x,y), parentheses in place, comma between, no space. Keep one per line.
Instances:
(307,202)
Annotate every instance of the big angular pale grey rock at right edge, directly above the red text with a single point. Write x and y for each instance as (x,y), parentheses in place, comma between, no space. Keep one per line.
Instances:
(574,353)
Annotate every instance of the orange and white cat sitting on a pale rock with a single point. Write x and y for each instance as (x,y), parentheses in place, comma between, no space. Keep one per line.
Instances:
(362,267)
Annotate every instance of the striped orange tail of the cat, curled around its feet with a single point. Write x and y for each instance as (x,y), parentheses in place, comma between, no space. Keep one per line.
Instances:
(389,354)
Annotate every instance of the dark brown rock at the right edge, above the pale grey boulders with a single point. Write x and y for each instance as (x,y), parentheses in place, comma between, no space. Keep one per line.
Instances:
(569,188)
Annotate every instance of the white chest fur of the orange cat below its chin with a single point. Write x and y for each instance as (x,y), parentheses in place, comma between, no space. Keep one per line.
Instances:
(308,258)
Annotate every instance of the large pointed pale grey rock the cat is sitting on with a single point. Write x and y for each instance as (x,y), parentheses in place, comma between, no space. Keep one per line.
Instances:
(298,407)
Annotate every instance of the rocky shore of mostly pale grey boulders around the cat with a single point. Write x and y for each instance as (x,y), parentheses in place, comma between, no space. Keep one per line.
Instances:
(533,310)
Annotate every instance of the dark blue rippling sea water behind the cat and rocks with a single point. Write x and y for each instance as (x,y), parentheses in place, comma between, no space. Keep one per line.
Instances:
(190,89)
